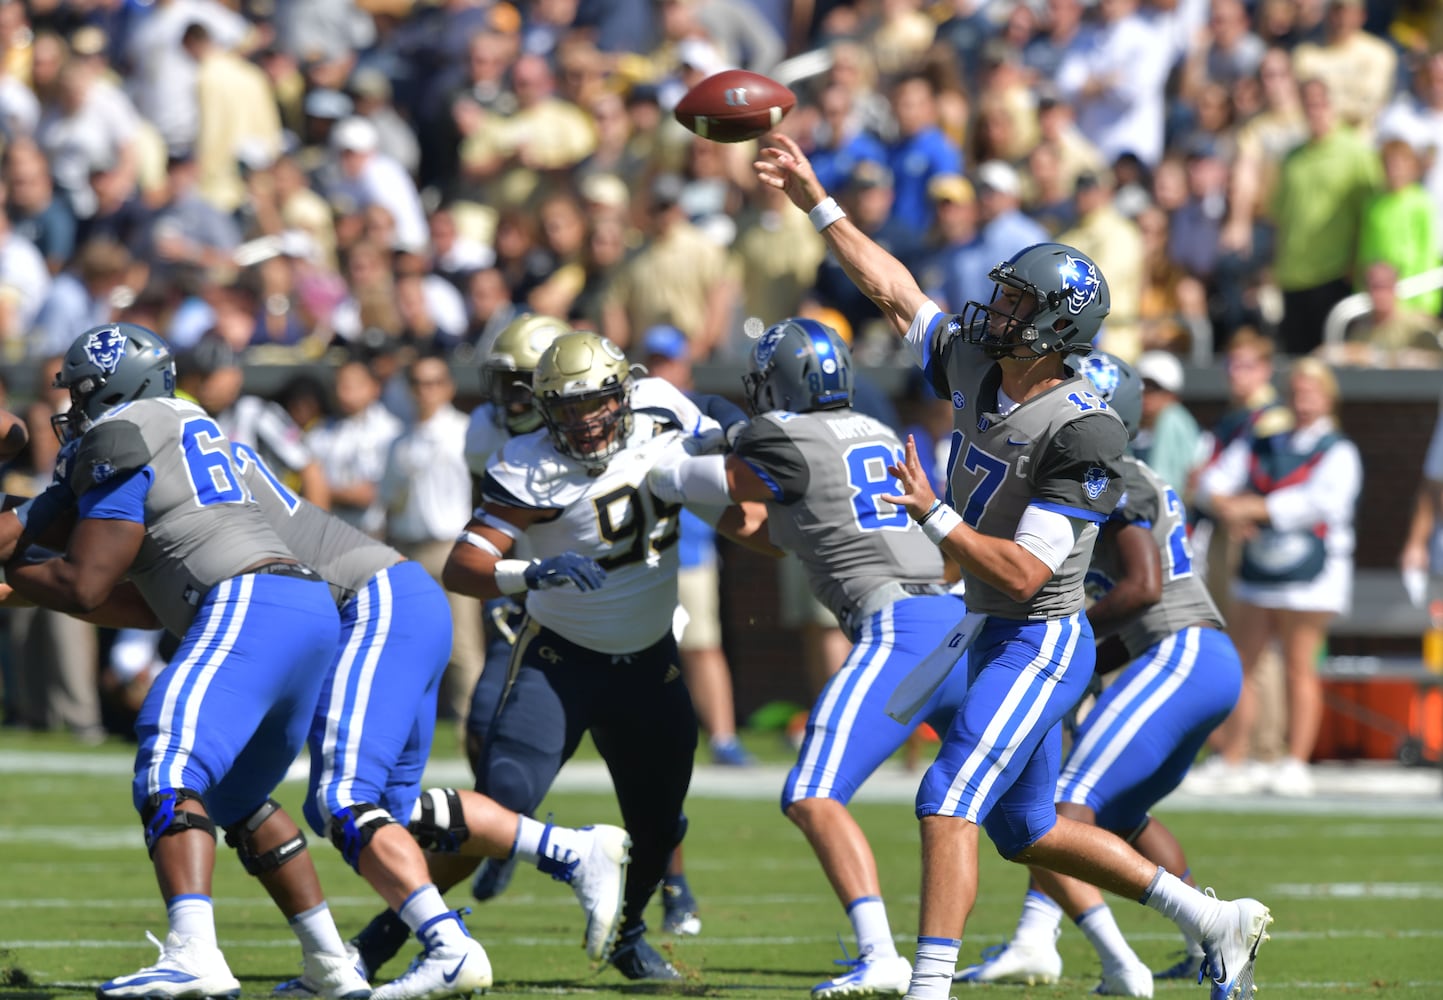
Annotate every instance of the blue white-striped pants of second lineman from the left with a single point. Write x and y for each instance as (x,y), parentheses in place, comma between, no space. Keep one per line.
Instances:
(374,721)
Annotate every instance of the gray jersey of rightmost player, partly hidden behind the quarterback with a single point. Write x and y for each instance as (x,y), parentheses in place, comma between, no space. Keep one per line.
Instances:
(1152,504)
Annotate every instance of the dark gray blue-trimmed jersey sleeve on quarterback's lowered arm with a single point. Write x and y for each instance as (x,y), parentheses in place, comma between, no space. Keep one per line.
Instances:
(1080,471)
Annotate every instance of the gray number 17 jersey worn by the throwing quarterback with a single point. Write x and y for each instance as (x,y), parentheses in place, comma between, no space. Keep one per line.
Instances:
(1060,451)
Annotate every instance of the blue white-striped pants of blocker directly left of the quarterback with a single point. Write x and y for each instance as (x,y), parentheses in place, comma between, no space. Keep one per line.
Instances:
(849,734)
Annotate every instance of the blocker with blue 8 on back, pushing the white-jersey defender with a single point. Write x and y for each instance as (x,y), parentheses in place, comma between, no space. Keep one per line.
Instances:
(822,470)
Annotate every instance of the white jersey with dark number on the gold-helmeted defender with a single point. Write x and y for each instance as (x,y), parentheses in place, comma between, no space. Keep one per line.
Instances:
(611,517)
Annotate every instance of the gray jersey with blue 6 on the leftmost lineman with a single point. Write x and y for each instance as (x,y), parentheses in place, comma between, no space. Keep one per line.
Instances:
(201,523)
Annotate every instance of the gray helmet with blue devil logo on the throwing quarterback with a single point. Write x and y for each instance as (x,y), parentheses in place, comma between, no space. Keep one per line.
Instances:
(1058,304)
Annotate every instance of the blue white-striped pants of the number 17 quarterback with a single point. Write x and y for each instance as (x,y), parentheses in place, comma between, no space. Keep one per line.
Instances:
(1001,757)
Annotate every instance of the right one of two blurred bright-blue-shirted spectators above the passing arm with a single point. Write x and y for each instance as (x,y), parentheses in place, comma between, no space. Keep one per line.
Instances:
(920,152)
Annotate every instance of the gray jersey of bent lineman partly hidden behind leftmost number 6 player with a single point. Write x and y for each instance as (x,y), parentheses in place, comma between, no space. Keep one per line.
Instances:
(344,556)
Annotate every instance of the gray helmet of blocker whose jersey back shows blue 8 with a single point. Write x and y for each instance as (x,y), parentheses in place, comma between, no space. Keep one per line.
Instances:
(799,366)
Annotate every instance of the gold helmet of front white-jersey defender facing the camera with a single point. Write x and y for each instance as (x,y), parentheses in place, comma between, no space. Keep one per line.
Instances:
(582,392)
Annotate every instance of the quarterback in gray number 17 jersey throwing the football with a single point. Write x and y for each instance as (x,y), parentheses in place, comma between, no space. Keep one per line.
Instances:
(1037,468)
